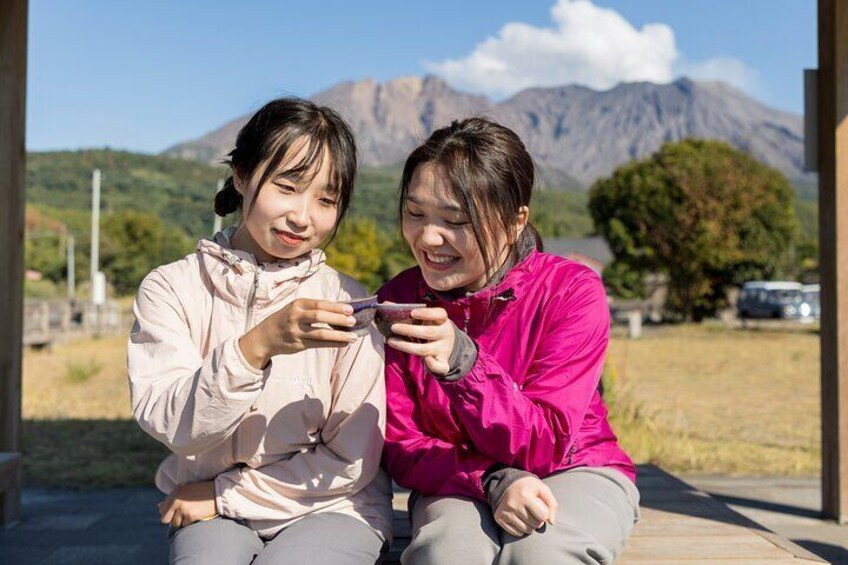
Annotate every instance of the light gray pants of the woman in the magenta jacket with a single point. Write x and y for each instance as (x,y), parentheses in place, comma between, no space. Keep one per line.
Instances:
(597,510)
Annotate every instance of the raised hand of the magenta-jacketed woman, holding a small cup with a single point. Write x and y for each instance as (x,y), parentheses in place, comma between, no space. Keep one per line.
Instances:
(436,335)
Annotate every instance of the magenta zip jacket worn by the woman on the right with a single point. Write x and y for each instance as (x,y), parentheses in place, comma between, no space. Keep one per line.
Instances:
(531,401)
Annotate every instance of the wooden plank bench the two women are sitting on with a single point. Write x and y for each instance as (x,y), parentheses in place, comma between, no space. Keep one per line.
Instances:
(679,524)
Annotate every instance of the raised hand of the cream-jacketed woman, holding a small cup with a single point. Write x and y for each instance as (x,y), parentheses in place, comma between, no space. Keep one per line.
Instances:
(291,330)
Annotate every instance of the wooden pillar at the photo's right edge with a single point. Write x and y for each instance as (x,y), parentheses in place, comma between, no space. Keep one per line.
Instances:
(833,242)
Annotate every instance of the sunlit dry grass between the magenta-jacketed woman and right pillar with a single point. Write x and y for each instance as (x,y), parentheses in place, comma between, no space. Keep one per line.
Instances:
(711,400)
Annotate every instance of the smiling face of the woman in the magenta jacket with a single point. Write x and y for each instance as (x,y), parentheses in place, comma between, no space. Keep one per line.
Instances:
(440,235)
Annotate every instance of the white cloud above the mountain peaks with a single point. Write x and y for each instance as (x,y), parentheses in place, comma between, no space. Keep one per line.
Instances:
(588,45)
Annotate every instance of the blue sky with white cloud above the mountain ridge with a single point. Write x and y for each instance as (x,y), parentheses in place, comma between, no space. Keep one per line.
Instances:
(145,75)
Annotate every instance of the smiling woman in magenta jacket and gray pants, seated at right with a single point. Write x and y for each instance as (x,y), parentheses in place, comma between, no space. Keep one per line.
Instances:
(495,420)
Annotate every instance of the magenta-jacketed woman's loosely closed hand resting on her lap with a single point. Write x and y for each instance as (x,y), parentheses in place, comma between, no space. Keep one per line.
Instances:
(527,504)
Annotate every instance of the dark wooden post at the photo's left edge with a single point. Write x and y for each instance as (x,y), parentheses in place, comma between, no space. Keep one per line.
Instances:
(13,58)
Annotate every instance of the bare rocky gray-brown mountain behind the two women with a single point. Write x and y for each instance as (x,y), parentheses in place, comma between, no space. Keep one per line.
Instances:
(582,132)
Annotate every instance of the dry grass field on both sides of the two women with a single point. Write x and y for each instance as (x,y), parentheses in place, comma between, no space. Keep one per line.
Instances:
(702,399)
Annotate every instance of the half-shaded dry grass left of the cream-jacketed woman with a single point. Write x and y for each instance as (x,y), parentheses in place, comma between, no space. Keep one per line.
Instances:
(78,430)
